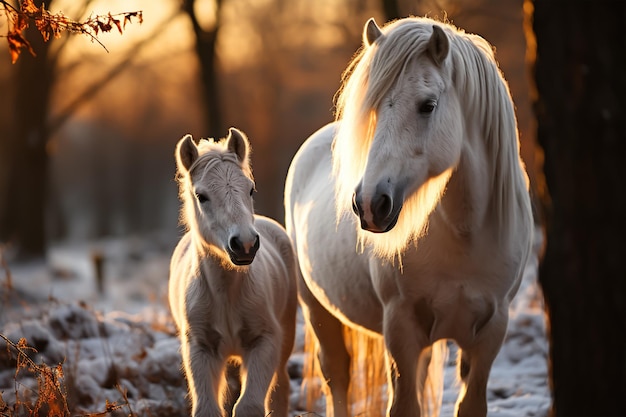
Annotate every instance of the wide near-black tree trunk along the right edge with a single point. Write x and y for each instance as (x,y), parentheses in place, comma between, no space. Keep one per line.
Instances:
(581,115)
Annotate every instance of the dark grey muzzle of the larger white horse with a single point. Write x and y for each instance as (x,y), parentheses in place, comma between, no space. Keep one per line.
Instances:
(381,215)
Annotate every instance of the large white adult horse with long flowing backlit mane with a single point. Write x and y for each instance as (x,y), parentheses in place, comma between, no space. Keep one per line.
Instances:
(425,152)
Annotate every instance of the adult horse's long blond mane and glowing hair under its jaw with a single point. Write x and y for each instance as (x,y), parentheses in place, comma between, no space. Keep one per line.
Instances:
(484,97)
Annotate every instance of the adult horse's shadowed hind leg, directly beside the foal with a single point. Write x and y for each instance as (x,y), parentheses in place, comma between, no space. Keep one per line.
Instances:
(333,356)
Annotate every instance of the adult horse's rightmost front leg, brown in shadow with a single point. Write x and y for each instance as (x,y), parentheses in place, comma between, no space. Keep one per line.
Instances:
(475,365)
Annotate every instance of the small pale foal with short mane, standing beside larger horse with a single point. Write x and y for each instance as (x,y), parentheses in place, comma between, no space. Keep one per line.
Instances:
(232,288)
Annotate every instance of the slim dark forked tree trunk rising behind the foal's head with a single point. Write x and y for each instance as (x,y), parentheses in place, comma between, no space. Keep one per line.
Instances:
(206,40)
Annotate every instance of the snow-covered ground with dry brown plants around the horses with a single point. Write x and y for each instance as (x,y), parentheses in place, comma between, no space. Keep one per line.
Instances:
(119,345)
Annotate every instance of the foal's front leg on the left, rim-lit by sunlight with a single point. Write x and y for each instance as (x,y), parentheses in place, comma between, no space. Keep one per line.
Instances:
(204,372)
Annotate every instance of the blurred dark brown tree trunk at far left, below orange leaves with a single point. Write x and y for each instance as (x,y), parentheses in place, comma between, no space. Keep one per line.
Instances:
(22,205)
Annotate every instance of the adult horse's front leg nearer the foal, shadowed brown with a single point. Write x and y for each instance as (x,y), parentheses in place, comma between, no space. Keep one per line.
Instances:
(404,342)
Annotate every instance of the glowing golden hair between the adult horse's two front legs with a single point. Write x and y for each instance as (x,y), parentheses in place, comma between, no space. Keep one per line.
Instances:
(430,374)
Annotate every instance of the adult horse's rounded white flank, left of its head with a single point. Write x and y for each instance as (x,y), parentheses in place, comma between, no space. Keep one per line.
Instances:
(325,247)
